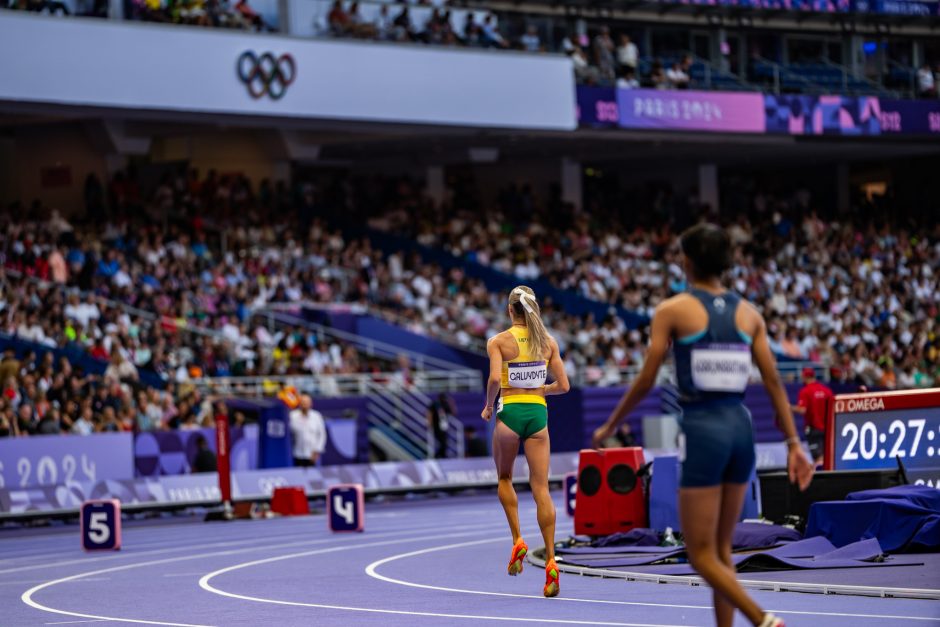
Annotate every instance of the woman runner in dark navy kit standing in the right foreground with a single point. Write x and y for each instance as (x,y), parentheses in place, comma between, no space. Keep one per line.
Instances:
(715,334)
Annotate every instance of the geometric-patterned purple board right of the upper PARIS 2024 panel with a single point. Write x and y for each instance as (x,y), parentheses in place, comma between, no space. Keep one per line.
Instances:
(823,115)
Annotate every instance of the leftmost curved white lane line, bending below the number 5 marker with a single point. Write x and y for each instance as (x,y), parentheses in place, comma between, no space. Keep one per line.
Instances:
(27,597)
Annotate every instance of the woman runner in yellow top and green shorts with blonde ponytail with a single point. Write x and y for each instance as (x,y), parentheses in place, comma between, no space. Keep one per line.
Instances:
(520,360)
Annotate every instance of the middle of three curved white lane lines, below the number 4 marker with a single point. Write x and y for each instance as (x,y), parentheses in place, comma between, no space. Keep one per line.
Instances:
(205,585)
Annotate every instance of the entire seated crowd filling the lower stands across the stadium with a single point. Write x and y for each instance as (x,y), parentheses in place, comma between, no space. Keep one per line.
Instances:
(176,296)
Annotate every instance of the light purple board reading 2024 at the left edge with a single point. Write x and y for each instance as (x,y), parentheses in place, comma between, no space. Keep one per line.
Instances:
(49,460)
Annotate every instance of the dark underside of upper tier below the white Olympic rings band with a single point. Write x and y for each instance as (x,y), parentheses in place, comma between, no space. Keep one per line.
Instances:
(326,142)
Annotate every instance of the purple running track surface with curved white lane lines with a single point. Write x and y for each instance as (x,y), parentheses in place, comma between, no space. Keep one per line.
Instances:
(436,561)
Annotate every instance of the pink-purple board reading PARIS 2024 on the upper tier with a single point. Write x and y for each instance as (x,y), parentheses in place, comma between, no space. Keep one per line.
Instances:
(714,111)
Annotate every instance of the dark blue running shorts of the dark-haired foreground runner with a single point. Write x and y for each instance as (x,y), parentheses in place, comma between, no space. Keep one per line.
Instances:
(716,444)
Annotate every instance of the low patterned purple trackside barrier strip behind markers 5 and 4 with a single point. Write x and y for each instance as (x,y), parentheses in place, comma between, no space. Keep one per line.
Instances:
(257,484)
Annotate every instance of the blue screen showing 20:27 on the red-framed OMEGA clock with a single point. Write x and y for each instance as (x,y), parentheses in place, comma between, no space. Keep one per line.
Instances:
(874,439)
